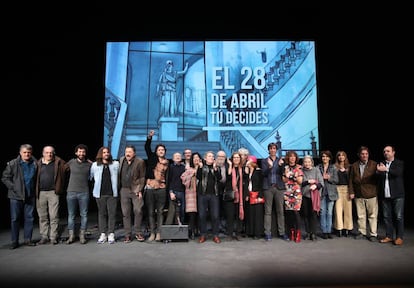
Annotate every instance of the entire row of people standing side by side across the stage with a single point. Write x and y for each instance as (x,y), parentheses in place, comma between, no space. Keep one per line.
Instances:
(275,197)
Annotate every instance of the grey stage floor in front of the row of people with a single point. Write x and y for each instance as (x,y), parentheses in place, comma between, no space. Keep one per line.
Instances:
(338,262)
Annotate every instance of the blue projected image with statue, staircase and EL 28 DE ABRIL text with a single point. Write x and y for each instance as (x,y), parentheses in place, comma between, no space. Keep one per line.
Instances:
(211,95)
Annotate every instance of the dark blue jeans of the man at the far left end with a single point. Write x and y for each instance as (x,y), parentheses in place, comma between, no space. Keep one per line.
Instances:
(17,207)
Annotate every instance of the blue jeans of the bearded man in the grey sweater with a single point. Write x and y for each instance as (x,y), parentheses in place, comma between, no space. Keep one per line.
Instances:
(75,199)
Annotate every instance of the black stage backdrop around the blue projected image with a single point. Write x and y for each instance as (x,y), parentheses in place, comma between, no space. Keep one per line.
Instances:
(53,73)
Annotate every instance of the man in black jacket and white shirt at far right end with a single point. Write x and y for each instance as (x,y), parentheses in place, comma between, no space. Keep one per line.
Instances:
(391,193)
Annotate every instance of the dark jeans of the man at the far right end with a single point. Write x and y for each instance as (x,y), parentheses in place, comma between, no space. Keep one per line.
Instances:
(393,210)
